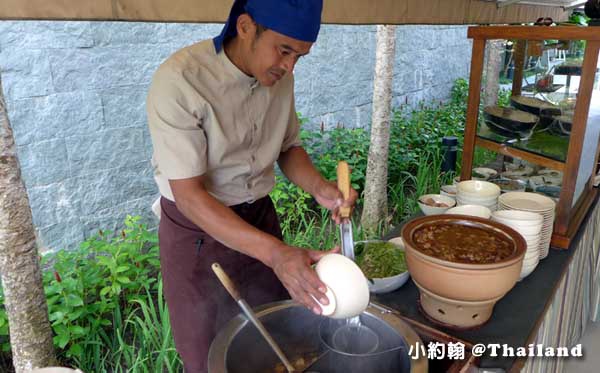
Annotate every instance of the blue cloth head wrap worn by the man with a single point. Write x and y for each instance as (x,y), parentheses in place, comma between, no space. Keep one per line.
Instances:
(297,19)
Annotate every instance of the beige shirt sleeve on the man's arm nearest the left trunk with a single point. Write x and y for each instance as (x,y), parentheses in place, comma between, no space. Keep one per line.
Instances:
(174,110)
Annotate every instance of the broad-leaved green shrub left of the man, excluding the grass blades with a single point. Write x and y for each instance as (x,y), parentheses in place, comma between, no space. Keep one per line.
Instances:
(87,285)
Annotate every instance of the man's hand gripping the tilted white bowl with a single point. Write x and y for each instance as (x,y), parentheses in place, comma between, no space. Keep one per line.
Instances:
(292,265)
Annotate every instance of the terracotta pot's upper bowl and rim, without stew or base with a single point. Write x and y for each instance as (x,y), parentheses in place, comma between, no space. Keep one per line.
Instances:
(462,281)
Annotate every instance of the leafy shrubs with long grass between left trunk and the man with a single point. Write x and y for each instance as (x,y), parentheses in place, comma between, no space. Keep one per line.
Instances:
(105,303)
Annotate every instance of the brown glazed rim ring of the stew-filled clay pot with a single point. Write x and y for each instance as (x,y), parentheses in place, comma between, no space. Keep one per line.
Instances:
(410,227)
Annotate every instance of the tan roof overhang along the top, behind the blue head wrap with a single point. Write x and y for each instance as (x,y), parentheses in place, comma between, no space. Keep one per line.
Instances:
(335,11)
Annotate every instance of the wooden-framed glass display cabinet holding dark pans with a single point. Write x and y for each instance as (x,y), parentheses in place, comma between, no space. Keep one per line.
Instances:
(544,128)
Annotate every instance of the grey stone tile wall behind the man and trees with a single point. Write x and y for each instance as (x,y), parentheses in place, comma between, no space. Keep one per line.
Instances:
(76,93)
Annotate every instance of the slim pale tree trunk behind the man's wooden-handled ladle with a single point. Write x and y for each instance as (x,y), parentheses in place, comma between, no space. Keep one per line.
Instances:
(375,209)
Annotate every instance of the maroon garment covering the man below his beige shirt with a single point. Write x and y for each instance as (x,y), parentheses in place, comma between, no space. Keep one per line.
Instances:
(198,304)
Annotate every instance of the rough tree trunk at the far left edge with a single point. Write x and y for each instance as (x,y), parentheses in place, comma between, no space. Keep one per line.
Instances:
(24,298)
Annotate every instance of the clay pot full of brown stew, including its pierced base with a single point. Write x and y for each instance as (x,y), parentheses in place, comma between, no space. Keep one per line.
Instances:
(462,265)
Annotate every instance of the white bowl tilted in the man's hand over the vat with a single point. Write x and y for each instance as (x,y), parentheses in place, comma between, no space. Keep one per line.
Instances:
(348,291)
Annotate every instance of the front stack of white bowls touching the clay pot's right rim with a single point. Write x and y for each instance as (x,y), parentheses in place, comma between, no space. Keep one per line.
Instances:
(529,225)
